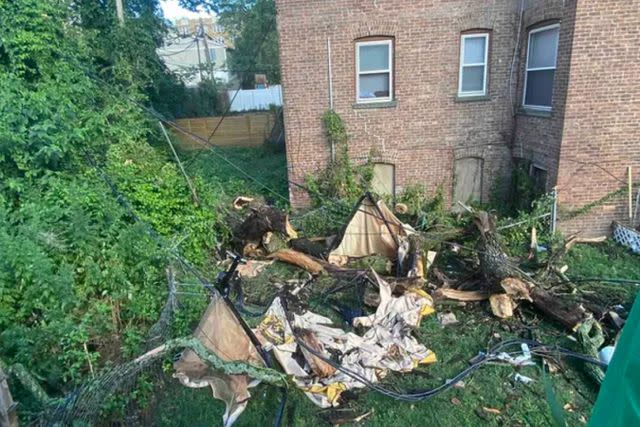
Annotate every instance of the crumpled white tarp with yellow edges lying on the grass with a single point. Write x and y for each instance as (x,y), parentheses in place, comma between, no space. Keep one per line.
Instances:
(387,345)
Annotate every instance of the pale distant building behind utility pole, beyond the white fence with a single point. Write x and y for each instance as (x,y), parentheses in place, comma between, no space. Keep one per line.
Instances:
(196,49)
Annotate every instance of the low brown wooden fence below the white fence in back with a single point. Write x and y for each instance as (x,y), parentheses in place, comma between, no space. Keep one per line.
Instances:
(243,130)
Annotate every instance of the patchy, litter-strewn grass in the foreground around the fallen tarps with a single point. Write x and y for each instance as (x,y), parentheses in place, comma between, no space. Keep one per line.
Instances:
(492,386)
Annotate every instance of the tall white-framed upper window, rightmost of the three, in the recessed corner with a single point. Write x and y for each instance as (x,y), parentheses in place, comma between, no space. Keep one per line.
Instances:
(541,67)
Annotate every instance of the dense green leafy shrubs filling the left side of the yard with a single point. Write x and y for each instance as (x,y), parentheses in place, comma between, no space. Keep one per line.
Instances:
(80,280)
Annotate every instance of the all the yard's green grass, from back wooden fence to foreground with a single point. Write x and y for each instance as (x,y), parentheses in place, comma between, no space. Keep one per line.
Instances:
(492,386)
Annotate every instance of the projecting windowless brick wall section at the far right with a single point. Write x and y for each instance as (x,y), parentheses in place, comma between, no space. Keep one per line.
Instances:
(601,135)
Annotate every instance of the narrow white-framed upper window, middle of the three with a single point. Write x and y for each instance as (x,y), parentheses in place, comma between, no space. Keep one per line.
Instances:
(474,51)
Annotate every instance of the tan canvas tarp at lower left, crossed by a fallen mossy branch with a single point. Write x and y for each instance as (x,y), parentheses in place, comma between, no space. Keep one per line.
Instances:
(221,332)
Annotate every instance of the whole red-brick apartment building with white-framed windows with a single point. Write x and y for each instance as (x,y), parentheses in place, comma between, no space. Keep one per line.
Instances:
(449,93)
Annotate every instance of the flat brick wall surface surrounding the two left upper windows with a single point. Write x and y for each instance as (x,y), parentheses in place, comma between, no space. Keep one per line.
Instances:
(428,129)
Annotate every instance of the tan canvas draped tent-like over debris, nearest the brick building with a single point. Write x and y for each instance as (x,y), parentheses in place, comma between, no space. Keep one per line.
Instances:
(372,230)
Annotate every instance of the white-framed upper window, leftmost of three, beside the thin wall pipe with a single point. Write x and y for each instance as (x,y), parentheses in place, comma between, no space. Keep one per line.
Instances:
(374,64)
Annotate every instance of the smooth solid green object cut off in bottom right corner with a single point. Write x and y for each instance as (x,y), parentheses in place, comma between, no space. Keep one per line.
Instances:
(618,402)
